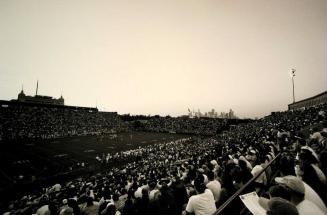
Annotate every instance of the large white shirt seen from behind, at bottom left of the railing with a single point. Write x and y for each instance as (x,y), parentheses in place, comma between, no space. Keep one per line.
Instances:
(201,204)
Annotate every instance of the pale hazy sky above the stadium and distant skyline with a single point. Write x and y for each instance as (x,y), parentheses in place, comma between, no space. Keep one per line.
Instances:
(165,56)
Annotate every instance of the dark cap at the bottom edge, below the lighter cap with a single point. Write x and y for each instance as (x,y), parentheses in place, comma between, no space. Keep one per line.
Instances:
(278,206)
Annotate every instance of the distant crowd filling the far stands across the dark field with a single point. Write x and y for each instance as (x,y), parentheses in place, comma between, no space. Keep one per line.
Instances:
(46,122)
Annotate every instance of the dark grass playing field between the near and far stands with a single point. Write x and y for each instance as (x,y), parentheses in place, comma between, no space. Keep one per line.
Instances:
(47,158)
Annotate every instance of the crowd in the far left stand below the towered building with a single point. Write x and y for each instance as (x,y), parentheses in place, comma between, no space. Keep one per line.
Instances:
(21,122)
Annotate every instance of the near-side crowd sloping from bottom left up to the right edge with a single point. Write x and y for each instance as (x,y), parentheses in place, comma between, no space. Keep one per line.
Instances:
(197,175)
